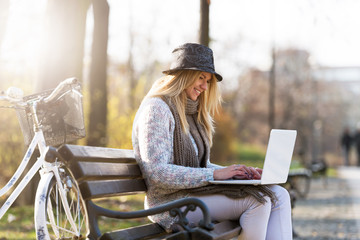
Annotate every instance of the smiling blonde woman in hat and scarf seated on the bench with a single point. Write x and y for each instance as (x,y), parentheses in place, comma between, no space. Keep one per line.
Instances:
(172,136)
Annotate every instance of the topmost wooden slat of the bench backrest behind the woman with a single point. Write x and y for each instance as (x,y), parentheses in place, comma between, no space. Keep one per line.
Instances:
(96,154)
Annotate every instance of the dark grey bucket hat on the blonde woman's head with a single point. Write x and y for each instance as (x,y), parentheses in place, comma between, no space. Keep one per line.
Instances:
(193,56)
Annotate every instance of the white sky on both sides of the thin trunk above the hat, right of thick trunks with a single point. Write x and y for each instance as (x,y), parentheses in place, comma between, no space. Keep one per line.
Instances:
(327,28)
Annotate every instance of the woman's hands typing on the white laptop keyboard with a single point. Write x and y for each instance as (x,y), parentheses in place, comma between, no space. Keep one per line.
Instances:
(237,172)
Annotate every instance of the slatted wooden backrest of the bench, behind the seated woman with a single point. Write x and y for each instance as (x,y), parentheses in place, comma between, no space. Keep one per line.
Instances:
(90,167)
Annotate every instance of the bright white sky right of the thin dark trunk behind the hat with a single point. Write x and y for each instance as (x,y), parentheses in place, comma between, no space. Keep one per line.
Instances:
(326,28)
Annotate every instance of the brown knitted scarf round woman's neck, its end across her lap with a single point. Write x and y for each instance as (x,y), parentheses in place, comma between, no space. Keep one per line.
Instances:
(185,155)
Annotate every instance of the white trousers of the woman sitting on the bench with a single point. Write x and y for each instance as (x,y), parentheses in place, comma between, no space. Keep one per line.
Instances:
(258,221)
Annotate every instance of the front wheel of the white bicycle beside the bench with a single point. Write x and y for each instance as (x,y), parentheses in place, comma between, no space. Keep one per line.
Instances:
(51,221)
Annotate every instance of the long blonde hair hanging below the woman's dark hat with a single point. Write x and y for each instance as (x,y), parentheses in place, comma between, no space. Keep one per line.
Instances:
(174,85)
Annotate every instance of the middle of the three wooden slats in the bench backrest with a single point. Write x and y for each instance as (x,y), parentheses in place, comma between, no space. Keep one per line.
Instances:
(104,171)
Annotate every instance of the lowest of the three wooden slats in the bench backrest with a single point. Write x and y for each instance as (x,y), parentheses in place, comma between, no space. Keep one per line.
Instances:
(106,188)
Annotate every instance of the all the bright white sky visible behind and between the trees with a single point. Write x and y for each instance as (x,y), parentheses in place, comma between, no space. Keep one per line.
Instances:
(242,32)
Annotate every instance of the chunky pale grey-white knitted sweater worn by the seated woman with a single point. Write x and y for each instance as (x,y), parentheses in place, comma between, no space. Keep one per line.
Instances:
(152,139)
